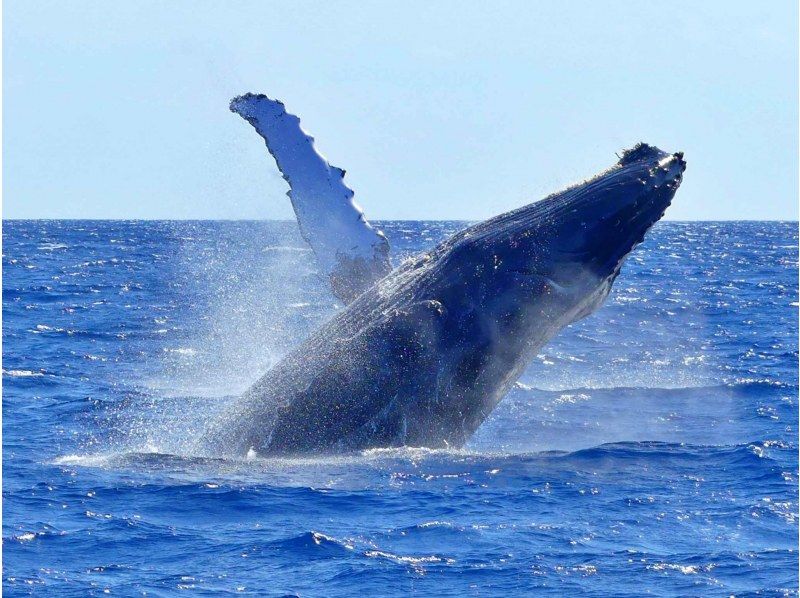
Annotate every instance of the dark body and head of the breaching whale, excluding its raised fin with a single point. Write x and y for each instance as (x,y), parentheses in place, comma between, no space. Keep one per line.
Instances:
(423,356)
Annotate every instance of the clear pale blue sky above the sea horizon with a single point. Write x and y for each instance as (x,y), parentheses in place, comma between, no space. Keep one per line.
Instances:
(437,110)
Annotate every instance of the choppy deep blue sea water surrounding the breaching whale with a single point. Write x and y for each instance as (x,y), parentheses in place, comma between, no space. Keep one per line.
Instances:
(649,449)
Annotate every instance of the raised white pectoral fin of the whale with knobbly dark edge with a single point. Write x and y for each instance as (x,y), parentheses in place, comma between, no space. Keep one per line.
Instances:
(350,252)
